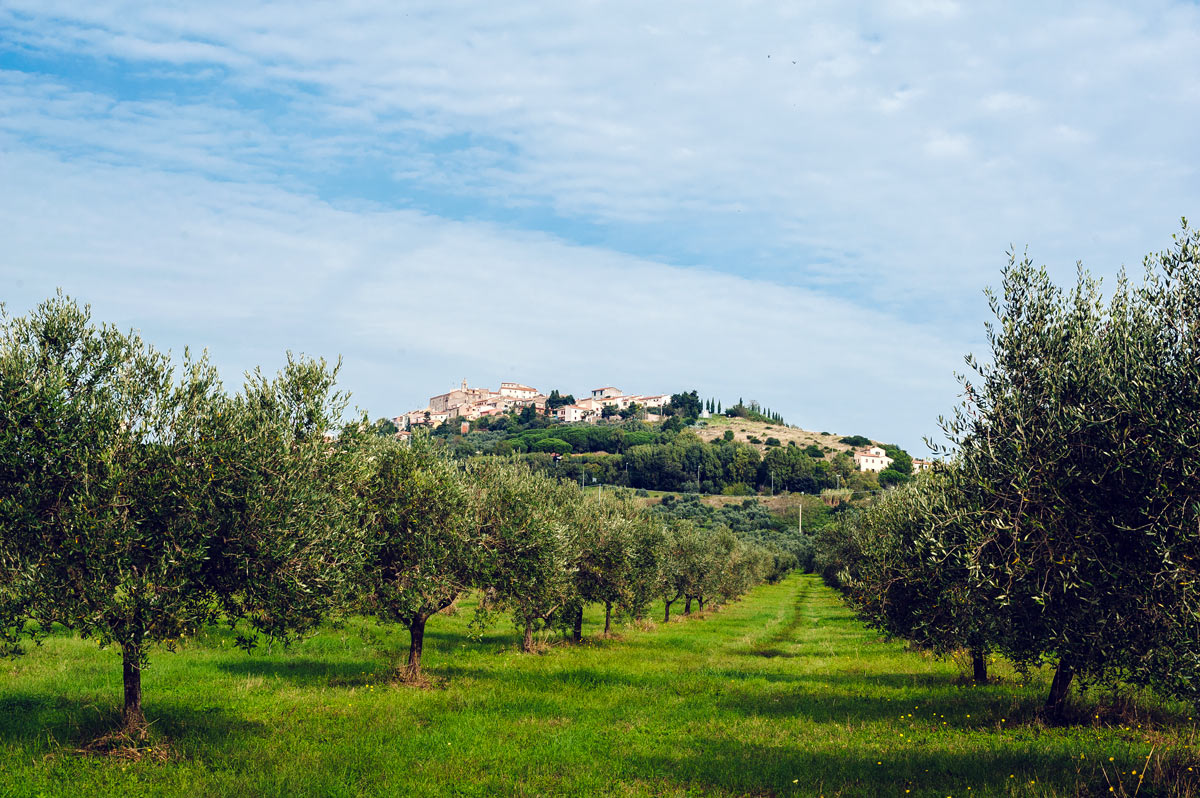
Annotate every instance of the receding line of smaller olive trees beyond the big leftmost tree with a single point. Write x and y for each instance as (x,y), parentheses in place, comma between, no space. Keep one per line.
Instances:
(538,548)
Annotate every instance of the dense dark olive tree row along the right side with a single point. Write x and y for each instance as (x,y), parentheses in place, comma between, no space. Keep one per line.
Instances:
(1066,527)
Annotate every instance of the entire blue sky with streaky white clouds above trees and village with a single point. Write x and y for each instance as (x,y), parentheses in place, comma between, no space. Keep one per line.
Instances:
(797,203)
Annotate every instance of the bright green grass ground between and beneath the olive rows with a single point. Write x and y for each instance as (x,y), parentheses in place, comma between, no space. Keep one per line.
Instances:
(781,694)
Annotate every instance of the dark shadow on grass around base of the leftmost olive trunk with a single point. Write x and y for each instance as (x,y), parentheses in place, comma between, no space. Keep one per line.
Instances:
(41,722)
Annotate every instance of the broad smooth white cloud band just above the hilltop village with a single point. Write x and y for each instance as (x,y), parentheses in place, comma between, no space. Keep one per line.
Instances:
(417,303)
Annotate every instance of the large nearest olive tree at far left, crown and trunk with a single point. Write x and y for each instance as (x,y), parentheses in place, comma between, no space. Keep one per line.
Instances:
(140,502)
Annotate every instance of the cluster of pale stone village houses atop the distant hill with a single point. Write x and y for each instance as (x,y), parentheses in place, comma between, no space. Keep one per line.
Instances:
(471,404)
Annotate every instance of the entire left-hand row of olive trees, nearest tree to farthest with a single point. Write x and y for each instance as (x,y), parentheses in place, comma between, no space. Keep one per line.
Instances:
(140,501)
